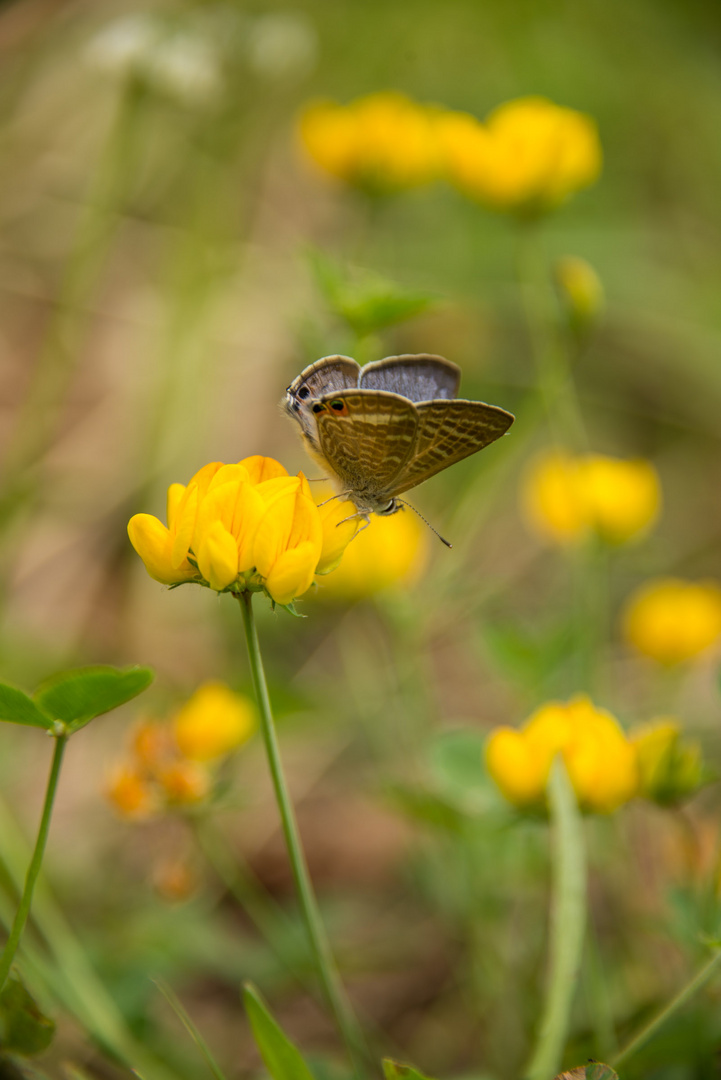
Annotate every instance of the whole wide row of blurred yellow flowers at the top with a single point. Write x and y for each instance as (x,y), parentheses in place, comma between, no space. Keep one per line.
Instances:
(528,156)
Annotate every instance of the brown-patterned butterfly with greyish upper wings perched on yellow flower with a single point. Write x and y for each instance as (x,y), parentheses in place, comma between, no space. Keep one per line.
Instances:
(383,429)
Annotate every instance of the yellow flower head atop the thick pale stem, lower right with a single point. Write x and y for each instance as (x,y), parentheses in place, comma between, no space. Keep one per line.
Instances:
(600,759)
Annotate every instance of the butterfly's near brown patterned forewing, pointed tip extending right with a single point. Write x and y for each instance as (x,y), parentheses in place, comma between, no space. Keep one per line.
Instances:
(448,433)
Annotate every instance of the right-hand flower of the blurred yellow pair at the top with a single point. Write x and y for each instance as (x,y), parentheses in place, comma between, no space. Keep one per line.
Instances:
(528,157)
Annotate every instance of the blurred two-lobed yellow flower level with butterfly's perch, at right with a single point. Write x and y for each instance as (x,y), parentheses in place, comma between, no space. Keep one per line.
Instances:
(567,498)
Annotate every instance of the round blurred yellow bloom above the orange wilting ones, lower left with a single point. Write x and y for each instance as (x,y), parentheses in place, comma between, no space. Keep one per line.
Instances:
(213,723)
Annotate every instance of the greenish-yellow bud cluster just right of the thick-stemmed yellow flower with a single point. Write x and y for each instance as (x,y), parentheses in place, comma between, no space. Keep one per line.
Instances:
(671,767)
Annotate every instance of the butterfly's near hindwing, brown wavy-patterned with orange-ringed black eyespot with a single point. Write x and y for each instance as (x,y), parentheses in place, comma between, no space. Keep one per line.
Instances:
(366,438)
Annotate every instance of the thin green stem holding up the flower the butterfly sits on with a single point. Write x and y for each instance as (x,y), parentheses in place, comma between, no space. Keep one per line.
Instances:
(327,968)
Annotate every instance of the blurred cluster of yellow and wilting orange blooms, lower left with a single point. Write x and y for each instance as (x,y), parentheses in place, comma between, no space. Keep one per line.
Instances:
(170,762)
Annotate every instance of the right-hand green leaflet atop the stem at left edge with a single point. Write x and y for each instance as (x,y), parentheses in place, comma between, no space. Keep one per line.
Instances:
(79,696)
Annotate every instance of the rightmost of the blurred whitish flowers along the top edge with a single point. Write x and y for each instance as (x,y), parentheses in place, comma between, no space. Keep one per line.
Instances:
(283,45)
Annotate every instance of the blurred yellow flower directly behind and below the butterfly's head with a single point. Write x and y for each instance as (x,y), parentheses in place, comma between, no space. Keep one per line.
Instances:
(391,551)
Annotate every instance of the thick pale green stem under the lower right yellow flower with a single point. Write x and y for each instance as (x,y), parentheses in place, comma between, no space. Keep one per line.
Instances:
(568,919)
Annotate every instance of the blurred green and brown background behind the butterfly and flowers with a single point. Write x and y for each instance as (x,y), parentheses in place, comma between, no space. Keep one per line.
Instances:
(157,296)
